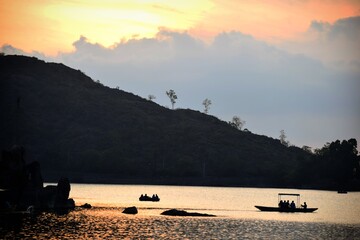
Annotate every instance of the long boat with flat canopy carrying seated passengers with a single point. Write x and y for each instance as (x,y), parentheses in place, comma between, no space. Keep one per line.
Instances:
(303,208)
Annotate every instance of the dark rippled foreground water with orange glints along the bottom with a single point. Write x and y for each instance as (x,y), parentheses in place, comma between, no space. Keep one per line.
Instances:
(110,223)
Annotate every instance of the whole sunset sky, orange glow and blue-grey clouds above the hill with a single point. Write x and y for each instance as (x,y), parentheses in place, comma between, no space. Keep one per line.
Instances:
(281,64)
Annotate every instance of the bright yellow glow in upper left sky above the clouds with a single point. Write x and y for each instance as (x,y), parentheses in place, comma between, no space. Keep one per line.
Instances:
(50,26)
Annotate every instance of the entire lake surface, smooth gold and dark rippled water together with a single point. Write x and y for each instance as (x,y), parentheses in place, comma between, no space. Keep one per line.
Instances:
(338,216)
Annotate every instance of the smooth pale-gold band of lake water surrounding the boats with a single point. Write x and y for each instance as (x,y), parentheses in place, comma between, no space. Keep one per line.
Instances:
(223,201)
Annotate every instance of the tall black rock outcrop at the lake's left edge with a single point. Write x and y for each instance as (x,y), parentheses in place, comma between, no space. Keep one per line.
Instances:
(22,185)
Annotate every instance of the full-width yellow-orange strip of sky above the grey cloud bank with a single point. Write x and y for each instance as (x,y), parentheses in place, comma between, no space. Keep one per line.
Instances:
(50,26)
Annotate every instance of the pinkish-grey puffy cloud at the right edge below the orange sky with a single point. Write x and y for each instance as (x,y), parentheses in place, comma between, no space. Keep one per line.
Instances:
(336,45)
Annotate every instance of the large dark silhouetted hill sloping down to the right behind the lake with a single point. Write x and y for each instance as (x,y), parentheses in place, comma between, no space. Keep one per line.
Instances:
(77,127)
